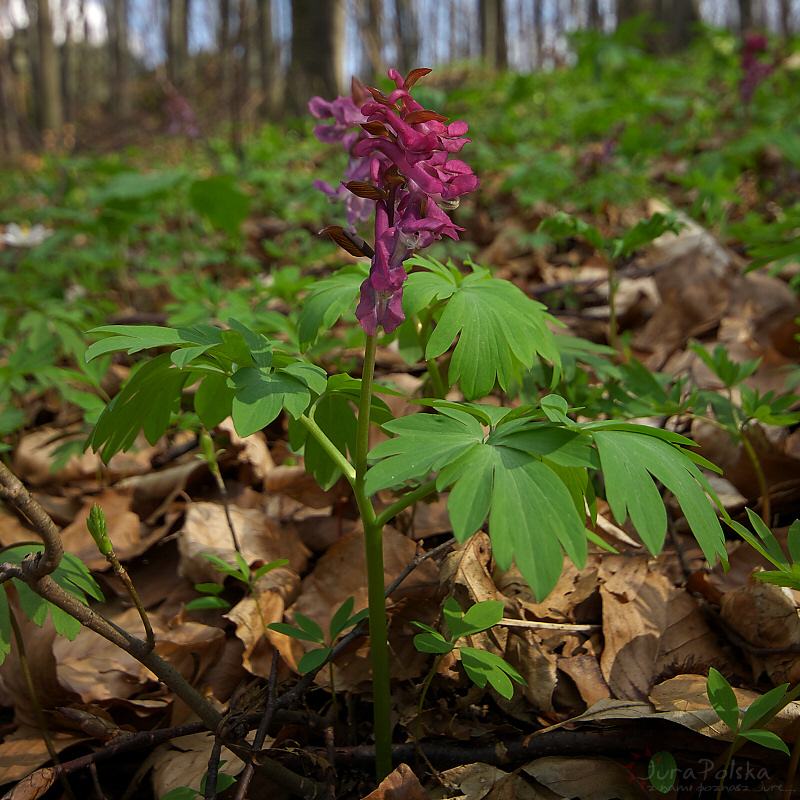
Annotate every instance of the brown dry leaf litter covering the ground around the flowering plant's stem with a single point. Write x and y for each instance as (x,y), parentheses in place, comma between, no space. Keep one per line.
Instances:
(620,648)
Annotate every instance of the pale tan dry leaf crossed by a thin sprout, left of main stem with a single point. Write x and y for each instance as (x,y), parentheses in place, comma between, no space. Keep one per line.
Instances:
(205,530)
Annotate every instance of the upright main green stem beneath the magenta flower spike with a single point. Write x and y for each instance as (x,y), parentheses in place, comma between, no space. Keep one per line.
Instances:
(373,543)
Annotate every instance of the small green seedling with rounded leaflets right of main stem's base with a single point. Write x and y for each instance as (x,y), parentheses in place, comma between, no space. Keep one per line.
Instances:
(481,666)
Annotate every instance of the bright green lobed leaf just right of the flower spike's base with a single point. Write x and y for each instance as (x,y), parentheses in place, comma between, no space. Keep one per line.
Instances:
(500,331)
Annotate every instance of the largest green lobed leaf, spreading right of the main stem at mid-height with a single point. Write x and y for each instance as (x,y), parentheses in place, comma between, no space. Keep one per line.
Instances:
(532,513)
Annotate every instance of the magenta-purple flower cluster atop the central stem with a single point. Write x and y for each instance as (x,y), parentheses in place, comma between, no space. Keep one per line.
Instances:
(401,162)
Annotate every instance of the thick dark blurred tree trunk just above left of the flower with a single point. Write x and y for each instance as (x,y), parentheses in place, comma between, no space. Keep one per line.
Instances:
(317,47)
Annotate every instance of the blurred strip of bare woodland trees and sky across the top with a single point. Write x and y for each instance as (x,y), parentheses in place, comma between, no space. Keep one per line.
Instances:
(90,71)
